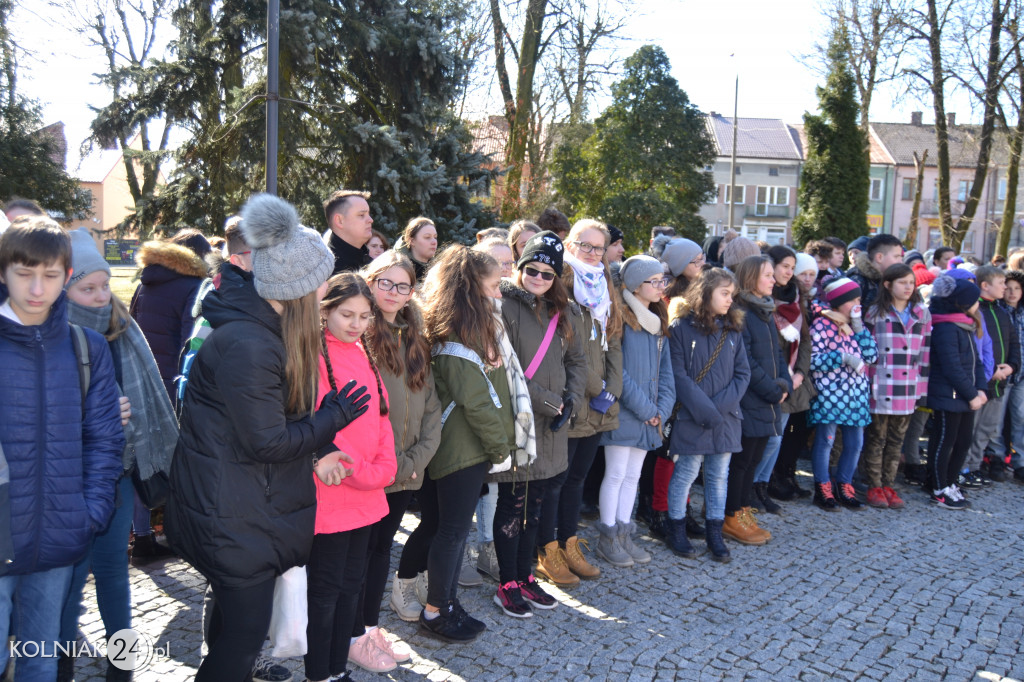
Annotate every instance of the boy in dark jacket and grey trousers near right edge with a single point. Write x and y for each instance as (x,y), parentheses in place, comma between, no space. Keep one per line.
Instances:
(1007,356)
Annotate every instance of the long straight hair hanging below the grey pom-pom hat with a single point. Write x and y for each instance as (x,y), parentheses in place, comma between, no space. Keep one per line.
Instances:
(300,331)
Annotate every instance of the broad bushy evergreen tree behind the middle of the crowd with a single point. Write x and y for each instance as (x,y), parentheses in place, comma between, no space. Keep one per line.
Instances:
(645,163)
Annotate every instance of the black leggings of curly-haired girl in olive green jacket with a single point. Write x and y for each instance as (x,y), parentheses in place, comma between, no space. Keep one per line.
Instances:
(447,507)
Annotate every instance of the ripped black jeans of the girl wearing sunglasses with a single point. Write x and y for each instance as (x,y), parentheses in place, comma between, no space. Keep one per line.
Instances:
(517,522)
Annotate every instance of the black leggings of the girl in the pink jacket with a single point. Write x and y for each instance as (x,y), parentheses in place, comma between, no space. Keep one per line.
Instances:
(337,568)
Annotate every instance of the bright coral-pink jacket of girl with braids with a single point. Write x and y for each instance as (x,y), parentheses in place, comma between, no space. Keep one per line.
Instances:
(360,500)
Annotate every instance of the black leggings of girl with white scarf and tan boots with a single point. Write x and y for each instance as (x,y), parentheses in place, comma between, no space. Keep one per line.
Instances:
(564,494)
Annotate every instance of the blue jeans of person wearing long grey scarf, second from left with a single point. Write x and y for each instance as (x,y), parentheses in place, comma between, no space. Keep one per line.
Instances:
(108,559)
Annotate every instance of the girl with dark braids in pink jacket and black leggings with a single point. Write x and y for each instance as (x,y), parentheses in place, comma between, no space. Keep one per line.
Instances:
(346,511)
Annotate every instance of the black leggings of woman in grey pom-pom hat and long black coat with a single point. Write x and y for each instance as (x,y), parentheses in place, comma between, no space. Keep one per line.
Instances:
(239,623)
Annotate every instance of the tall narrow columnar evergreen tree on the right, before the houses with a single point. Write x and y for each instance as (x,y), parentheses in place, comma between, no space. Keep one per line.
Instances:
(836,181)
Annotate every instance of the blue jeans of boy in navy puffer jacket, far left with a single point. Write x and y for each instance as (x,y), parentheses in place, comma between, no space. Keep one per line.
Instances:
(37,624)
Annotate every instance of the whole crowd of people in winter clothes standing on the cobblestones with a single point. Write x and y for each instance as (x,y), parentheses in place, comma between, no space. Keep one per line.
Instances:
(288,397)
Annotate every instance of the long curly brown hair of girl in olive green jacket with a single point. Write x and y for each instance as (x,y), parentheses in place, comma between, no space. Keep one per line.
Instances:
(456,306)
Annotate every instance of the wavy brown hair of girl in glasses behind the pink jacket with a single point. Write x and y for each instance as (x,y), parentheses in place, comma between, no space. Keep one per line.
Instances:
(382,342)
